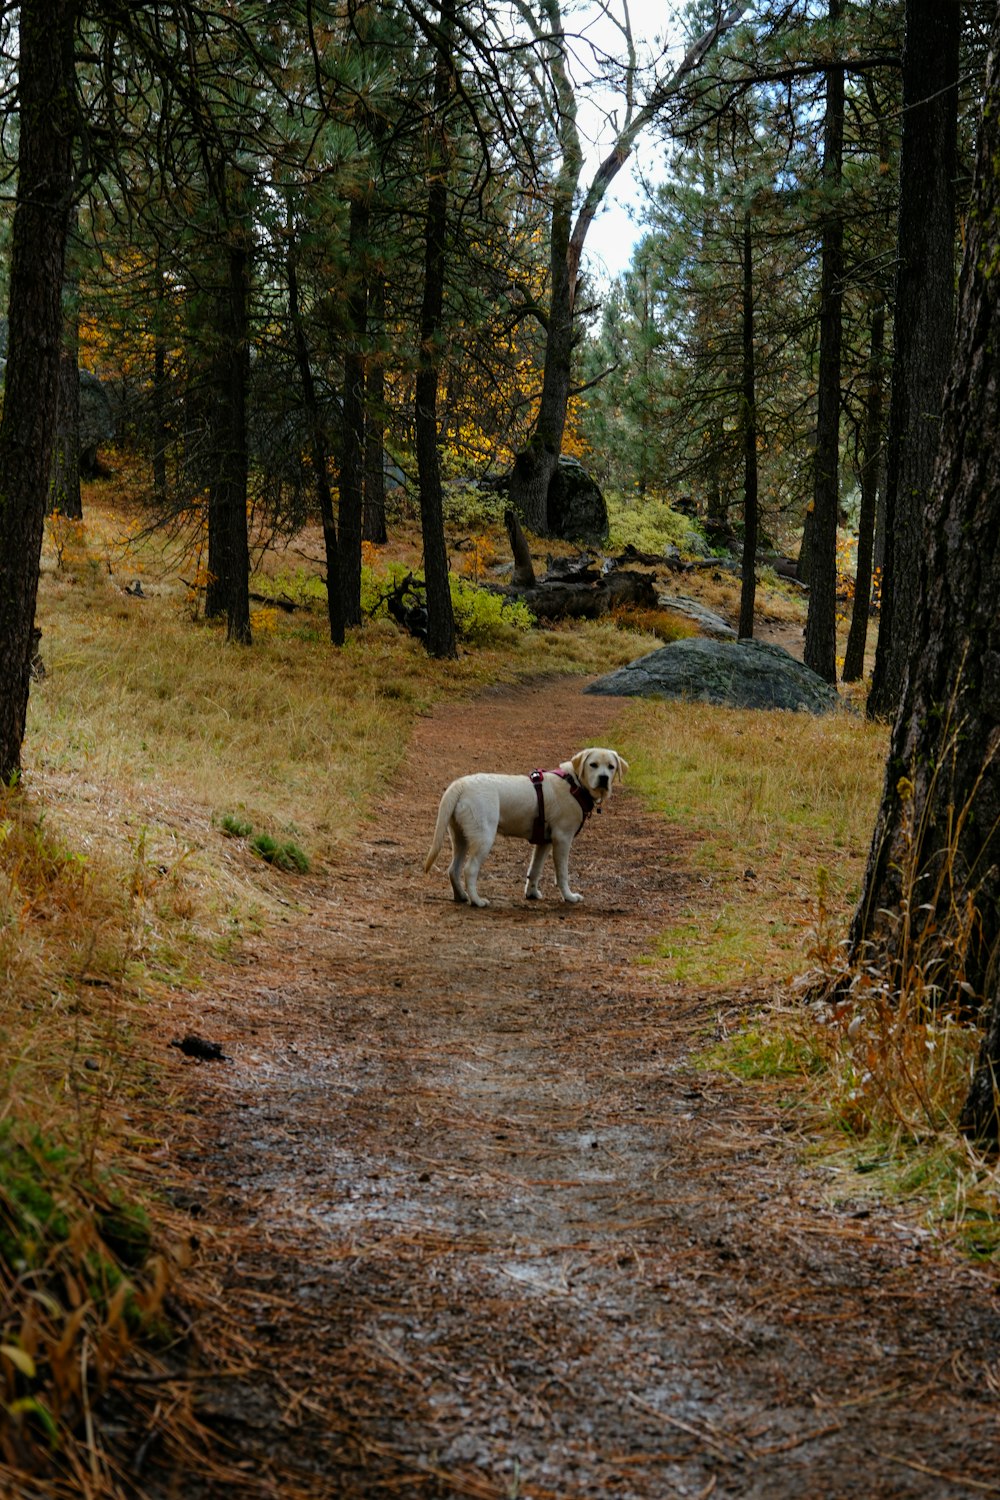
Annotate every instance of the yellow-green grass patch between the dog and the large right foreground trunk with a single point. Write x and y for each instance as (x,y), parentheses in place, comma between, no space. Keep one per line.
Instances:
(782,808)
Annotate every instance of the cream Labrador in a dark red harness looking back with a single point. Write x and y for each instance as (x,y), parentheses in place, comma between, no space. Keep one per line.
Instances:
(546,808)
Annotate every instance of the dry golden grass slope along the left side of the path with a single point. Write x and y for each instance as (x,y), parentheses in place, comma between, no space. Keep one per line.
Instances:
(119,887)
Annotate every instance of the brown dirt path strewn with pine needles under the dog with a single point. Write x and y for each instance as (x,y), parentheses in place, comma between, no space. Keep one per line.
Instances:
(485,1235)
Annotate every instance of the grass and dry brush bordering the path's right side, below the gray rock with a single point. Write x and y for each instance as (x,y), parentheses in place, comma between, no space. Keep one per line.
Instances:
(873,1067)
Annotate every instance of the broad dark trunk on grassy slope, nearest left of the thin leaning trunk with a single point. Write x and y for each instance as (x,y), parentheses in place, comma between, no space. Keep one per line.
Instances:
(229,541)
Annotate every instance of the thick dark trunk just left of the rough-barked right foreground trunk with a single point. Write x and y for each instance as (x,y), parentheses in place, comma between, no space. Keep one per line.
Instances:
(924,322)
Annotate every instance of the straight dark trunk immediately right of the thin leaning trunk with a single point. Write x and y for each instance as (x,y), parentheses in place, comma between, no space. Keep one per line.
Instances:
(353,412)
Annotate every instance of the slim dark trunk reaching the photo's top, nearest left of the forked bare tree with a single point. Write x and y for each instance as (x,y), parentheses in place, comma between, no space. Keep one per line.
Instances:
(440,613)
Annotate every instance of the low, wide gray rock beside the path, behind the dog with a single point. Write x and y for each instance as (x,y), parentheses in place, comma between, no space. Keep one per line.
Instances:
(738,674)
